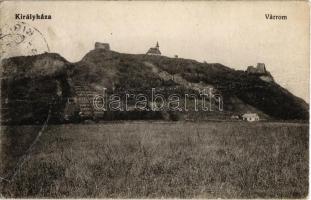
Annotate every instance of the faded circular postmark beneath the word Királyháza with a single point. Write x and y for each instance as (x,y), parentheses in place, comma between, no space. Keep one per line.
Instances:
(21,39)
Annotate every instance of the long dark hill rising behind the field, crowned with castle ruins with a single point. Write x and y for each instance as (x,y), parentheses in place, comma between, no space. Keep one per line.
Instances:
(34,84)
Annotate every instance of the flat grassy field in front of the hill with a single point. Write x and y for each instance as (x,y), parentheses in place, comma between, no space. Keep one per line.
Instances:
(144,159)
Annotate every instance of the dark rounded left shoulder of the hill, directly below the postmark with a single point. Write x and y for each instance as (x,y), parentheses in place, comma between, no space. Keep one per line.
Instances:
(31,86)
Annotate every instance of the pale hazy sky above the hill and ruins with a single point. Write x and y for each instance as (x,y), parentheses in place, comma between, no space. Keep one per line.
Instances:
(236,34)
